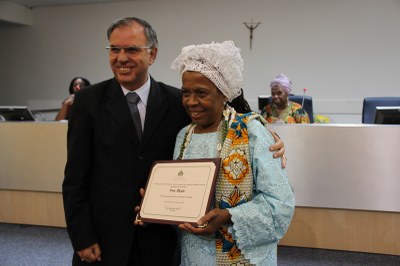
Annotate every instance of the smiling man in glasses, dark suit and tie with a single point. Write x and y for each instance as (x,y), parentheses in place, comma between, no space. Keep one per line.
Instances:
(108,161)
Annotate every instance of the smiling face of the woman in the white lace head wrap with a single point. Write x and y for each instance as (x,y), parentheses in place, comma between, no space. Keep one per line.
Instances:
(202,100)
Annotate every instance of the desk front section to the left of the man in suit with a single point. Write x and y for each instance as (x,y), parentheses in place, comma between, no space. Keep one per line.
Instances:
(32,161)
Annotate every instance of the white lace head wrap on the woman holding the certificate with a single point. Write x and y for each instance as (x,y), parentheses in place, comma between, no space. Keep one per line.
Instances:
(219,62)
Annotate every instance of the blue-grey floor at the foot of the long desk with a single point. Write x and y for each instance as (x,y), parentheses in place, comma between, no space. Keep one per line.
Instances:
(47,246)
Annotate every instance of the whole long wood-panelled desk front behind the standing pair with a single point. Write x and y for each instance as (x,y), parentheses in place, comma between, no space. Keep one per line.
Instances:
(345,177)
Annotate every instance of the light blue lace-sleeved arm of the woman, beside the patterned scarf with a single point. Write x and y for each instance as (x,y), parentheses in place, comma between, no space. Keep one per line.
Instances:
(260,223)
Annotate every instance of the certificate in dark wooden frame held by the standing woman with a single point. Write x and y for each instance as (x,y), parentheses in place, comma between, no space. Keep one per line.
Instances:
(179,191)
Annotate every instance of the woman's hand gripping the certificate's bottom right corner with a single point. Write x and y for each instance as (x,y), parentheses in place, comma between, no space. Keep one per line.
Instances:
(210,222)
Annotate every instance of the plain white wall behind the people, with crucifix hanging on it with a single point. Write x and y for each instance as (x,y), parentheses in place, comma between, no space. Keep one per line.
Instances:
(341,50)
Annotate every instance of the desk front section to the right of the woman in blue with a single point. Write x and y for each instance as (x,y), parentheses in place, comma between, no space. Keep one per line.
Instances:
(346,180)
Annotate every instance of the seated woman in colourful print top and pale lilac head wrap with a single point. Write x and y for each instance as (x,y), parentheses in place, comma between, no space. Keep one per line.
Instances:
(280,109)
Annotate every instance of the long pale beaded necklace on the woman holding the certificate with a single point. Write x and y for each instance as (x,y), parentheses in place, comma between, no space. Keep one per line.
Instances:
(228,116)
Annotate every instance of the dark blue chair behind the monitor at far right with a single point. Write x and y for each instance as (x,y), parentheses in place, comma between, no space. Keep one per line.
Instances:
(370,104)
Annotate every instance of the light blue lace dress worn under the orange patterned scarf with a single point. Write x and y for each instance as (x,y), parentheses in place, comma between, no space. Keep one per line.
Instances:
(259,224)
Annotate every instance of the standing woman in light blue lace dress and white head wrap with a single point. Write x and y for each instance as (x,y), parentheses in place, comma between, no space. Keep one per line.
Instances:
(254,202)
